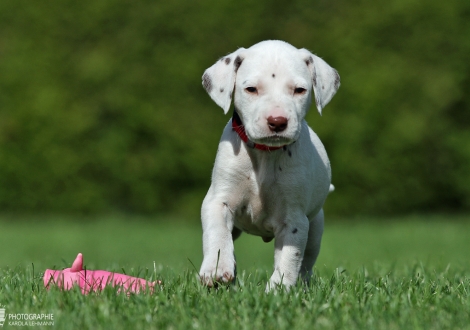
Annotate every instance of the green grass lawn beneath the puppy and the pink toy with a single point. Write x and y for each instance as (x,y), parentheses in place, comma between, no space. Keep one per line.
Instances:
(407,273)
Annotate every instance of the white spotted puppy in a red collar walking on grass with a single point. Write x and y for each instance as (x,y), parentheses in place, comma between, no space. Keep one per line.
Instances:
(271,174)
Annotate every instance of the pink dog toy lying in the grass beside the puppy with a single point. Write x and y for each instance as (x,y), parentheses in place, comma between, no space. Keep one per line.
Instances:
(93,280)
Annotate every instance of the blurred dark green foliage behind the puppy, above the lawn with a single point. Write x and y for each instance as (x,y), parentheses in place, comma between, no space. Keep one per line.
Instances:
(101,104)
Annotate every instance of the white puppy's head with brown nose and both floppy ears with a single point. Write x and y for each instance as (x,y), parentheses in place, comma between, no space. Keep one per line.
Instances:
(271,84)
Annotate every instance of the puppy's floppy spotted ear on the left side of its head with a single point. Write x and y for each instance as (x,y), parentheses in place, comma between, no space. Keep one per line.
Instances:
(219,79)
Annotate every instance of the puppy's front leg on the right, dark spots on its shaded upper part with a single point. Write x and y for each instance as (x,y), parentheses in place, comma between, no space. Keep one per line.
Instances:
(289,247)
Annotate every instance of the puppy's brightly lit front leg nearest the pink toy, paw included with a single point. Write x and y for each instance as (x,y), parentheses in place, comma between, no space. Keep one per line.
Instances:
(219,260)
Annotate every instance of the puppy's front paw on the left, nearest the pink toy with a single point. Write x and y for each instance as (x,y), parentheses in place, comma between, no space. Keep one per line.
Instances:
(224,273)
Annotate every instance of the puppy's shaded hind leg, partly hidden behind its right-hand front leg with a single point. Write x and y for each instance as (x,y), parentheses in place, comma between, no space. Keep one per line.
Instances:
(312,249)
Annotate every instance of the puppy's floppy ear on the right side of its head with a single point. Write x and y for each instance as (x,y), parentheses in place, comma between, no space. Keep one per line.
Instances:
(325,79)
